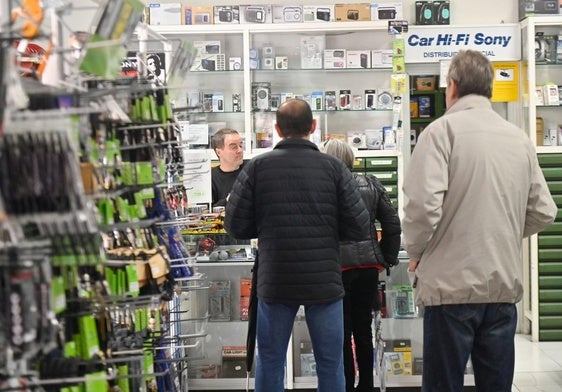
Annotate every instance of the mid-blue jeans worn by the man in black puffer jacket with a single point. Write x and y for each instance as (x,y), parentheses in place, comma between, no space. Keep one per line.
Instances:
(325,325)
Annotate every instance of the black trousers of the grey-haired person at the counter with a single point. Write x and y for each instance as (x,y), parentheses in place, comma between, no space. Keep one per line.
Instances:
(360,291)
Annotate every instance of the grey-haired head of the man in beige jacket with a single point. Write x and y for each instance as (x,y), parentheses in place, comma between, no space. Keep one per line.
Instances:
(472,72)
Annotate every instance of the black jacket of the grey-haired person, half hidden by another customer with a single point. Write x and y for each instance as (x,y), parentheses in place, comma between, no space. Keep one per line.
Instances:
(359,254)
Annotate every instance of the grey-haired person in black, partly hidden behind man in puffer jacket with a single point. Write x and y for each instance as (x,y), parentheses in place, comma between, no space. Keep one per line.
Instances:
(361,262)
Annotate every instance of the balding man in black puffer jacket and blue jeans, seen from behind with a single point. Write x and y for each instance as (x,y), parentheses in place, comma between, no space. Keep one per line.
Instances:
(299,203)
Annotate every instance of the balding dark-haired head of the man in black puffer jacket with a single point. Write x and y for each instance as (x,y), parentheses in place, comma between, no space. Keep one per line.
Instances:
(294,118)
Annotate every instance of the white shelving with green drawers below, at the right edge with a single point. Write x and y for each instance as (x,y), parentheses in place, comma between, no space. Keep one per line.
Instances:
(540,66)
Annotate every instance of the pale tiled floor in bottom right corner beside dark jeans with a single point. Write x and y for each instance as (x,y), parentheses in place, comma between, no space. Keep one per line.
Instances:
(538,366)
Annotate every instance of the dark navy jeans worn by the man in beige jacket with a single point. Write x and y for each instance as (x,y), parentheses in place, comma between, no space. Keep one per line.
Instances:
(452,333)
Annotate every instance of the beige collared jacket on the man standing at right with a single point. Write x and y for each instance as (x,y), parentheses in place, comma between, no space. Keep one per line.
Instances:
(474,190)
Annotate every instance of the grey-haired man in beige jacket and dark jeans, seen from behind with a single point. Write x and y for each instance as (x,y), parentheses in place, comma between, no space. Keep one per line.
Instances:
(474,190)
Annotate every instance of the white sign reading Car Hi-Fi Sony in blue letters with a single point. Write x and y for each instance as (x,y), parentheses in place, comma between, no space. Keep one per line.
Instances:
(428,44)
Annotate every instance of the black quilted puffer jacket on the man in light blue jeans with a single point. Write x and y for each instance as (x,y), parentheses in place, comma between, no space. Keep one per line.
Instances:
(299,203)
